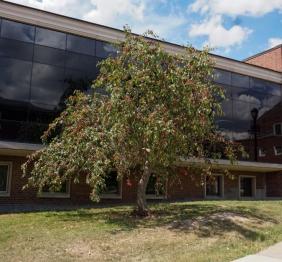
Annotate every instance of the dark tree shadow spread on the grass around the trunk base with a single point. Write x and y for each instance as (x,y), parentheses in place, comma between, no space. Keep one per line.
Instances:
(202,219)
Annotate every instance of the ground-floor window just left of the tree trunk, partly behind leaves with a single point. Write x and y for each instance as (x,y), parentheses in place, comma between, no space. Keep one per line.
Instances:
(112,186)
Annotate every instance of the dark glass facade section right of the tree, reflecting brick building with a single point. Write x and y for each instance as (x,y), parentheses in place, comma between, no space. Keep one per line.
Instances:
(254,131)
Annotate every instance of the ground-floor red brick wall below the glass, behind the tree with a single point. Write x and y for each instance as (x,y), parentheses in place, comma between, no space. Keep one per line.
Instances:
(184,186)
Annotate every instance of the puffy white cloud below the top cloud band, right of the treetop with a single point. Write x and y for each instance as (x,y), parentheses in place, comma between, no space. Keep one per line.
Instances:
(218,35)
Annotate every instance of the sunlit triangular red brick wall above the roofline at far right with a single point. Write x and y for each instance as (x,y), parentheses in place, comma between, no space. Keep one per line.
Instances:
(271,59)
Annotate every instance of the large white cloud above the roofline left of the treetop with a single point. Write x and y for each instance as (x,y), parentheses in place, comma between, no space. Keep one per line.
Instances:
(140,15)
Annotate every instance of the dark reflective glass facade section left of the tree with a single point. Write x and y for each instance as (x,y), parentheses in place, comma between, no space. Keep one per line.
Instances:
(39,69)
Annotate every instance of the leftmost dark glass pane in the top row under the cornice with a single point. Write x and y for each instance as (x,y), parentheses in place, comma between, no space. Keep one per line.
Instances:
(18,31)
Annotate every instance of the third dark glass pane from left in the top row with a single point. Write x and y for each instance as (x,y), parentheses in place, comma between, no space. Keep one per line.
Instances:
(80,45)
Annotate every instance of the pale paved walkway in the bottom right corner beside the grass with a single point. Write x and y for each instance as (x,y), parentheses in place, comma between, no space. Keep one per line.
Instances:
(272,254)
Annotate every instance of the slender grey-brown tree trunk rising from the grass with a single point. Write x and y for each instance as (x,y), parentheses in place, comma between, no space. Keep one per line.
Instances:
(142,208)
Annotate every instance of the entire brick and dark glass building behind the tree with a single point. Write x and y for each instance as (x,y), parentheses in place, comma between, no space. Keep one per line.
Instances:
(41,53)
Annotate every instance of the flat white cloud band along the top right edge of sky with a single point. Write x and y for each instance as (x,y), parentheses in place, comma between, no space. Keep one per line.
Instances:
(237,7)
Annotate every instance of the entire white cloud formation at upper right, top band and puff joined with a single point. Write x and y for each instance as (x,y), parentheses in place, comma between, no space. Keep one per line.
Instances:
(216,11)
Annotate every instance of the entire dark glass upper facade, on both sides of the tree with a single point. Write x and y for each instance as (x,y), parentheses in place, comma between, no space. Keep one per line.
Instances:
(40,68)
